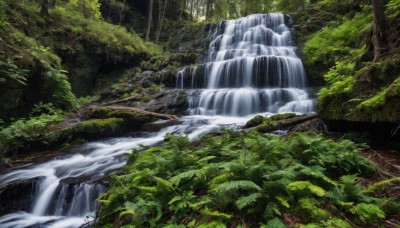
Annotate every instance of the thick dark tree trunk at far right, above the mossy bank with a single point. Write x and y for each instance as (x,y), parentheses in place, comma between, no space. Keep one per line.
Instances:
(379,39)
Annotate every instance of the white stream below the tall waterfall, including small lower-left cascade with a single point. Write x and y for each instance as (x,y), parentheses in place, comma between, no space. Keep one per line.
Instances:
(59,204)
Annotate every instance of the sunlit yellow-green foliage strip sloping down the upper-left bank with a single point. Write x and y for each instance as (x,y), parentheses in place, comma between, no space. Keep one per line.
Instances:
(116,41)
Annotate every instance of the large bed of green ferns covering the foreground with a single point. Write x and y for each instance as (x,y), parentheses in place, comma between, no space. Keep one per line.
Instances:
(242,178)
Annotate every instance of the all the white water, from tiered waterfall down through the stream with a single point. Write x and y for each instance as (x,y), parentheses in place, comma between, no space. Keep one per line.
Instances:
(251,67)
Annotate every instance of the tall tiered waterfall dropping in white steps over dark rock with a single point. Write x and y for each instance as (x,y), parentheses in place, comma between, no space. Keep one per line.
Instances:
(251,67)
